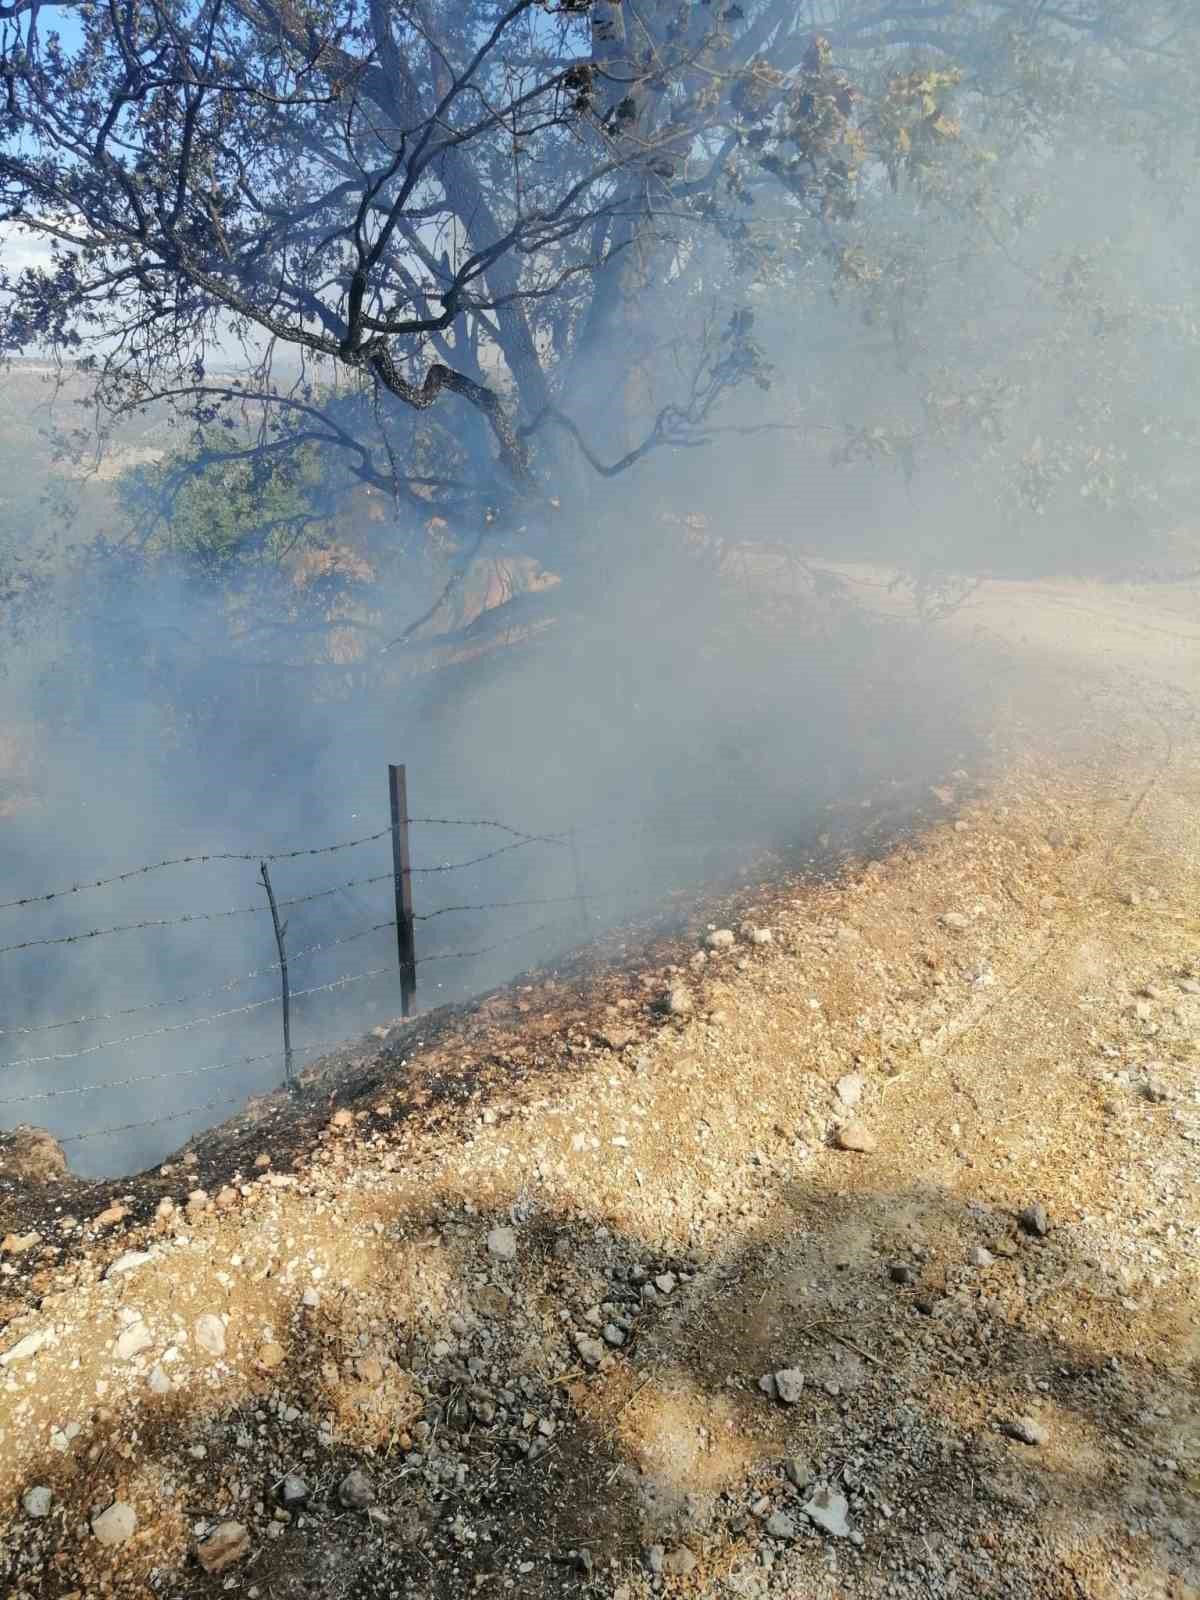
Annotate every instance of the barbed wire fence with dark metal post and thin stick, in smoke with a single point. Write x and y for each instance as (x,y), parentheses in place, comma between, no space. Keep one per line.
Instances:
(44,1078)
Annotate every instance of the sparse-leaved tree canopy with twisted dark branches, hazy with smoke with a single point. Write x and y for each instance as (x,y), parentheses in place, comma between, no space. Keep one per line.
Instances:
(498,254)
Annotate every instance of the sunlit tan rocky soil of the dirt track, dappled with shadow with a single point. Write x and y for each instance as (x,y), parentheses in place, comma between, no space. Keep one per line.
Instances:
(844,1246)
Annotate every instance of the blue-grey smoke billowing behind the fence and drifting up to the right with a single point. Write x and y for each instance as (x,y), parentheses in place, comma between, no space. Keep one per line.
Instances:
(700,702)
